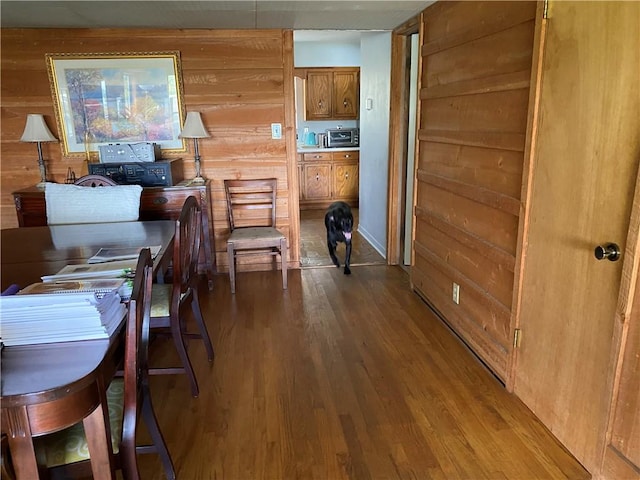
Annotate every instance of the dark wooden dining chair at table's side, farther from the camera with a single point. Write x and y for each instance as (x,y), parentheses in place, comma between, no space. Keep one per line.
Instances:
(169,299)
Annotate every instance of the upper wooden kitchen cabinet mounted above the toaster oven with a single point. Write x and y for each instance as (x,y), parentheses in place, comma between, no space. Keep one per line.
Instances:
(332,93)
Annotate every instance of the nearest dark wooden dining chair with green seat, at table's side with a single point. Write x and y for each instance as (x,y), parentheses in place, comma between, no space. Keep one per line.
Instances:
(128,397)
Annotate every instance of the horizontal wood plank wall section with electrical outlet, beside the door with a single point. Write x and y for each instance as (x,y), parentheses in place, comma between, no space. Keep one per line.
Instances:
(474,97)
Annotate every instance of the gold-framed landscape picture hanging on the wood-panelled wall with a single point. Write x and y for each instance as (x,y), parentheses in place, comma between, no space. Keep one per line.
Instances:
(108,98)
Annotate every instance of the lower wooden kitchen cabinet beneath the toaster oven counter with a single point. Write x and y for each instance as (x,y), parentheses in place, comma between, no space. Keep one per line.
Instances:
(326,177)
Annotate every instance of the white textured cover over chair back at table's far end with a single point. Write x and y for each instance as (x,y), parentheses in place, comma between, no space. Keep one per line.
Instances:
(68,204)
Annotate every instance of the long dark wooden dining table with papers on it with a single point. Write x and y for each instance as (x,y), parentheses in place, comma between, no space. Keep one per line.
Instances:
(48,387)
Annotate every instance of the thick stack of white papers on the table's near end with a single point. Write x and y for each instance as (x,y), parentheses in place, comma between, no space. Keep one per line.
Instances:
(59,317)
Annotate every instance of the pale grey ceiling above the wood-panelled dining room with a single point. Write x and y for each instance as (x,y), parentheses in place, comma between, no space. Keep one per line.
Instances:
(214,14)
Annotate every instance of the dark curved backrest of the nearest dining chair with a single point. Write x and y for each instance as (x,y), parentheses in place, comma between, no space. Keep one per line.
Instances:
(136,368)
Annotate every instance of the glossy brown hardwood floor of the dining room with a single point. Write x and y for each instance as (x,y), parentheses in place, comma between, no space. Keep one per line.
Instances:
(341,377)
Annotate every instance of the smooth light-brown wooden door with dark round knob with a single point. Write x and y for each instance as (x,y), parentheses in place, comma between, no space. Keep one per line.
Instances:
(584,165)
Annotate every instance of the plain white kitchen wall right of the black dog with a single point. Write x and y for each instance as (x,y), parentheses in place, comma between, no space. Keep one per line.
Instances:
(375,84)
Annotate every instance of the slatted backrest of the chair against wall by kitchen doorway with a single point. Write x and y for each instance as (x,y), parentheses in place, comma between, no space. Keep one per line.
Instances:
(251,203)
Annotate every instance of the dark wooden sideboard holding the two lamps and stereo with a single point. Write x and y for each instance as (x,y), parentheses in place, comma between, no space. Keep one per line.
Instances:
(156,203)
